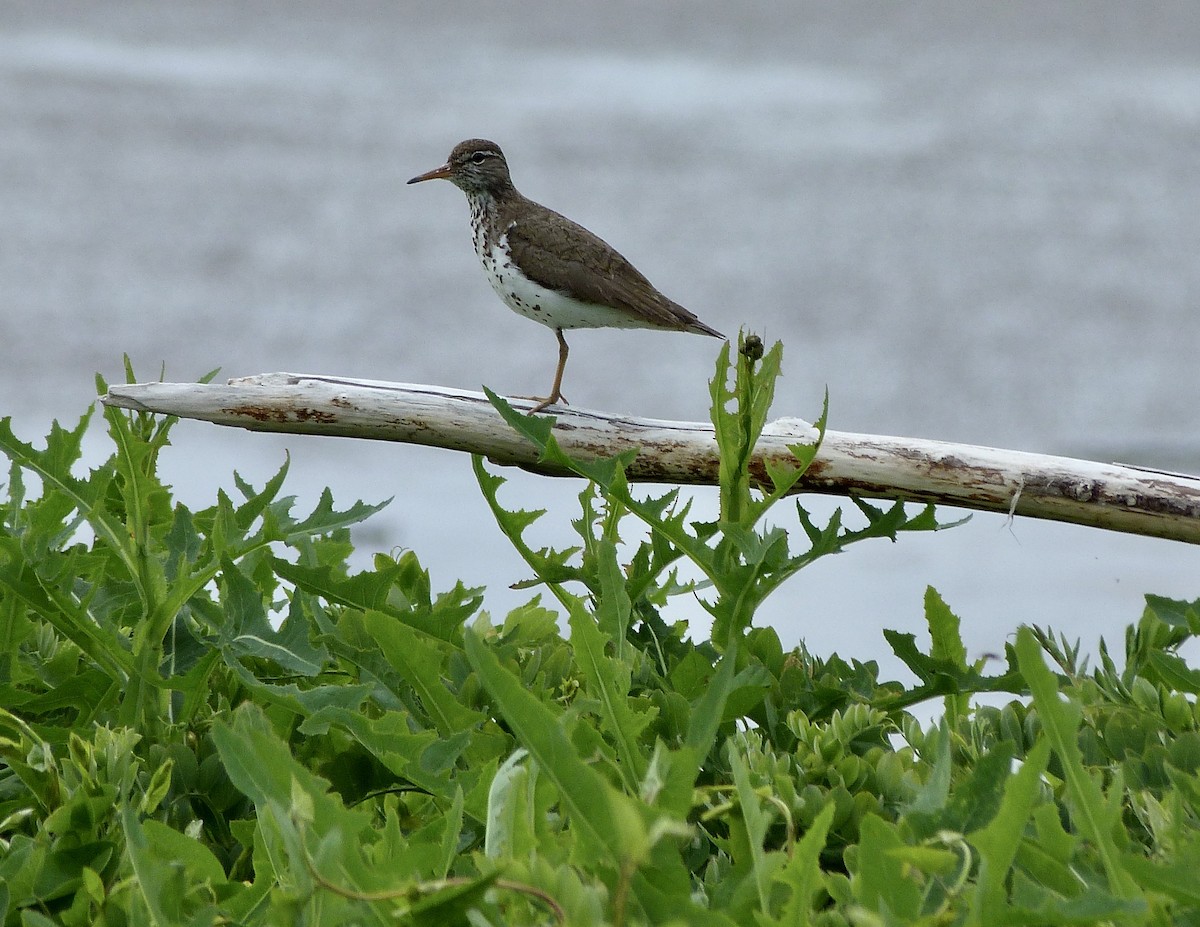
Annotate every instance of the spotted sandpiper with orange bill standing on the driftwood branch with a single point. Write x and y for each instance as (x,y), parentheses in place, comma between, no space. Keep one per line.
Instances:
(548,268)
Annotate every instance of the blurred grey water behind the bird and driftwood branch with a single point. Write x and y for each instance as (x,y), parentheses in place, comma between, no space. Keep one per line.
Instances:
(977,223)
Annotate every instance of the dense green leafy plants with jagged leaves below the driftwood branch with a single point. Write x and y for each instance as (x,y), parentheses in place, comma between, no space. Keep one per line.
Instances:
(208,719)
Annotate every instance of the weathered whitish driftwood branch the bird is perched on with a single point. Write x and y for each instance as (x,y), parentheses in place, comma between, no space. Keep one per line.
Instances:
(1102,495)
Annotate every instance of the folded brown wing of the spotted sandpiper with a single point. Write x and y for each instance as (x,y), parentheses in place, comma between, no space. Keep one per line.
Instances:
(563,256)
